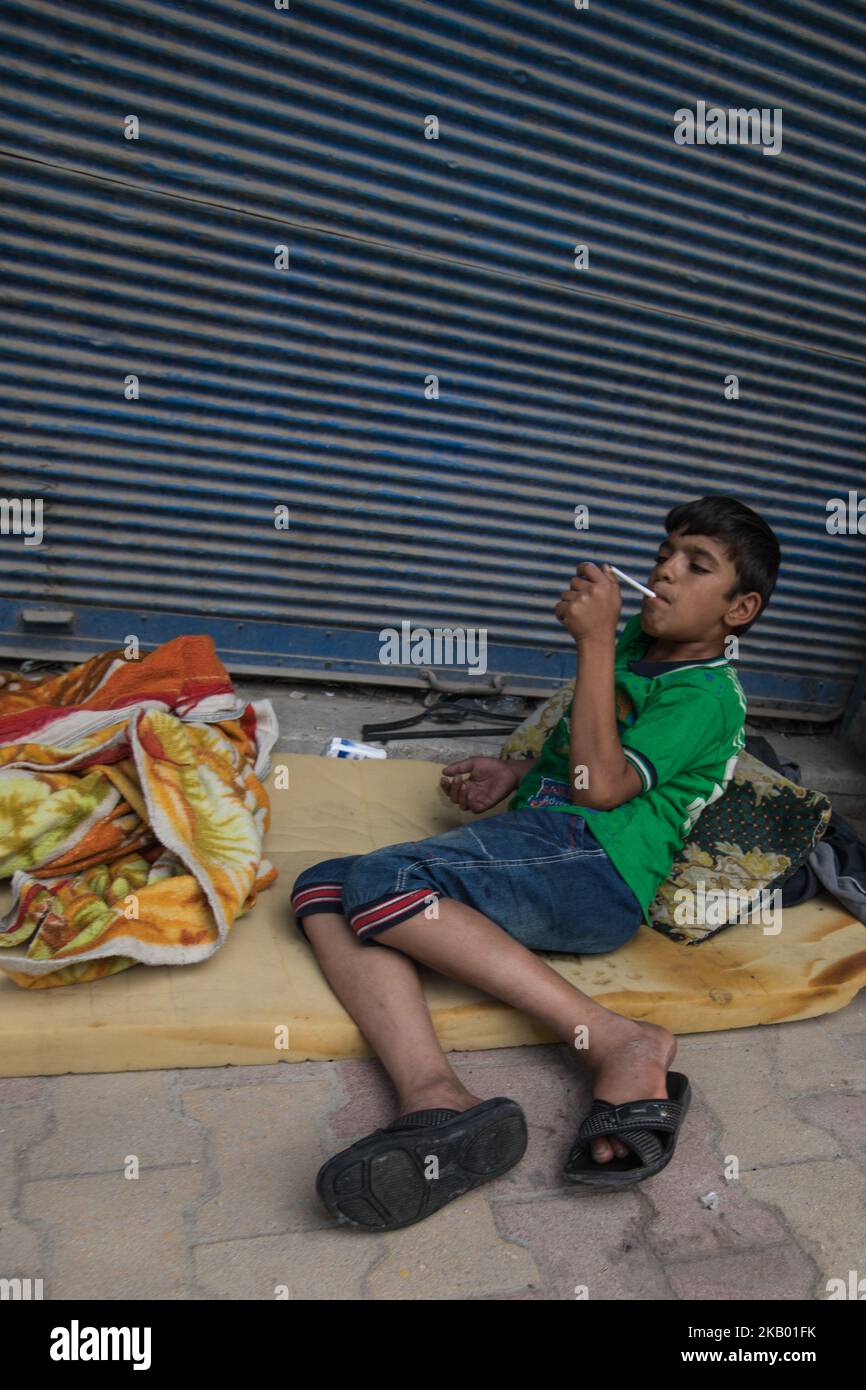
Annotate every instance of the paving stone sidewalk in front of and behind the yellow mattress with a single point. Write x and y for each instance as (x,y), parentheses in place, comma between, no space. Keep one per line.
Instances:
(224,1206)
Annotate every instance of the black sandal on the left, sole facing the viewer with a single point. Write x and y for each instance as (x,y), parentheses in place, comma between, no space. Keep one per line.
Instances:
(383,1182)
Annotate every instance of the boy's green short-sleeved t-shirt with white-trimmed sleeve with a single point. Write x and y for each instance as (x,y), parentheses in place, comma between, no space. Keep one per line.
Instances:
(682,726)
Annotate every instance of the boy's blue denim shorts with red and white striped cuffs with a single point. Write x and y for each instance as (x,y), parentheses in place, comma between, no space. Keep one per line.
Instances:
(540,875)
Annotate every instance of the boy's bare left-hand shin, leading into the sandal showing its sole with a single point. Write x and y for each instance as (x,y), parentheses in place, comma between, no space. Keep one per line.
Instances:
(383,993)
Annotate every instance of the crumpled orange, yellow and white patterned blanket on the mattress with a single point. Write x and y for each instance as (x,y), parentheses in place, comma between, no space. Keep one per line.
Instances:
(133,812)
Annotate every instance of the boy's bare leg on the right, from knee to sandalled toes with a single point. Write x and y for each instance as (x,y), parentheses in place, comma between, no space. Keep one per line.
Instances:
(629,1060)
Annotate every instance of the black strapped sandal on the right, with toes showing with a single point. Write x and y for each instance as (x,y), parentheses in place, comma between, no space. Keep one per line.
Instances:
(635,1124)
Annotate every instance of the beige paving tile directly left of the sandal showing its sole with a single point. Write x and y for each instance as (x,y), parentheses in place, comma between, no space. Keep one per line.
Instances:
(266,1147)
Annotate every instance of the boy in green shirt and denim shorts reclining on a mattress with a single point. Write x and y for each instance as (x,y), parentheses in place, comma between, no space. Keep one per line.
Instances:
(573,864)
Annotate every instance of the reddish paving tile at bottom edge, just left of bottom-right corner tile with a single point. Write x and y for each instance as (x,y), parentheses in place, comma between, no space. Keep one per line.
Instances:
(755,1275)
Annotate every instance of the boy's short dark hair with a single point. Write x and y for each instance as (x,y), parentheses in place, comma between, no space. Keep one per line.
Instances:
(751,544)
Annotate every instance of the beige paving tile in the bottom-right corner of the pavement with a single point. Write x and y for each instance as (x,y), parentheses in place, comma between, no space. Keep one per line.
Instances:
(825,1209)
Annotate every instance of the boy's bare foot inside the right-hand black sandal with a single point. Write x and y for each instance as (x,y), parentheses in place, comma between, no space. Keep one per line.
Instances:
(633,1070)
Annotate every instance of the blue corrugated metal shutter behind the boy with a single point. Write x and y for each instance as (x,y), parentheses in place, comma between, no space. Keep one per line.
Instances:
(412,258)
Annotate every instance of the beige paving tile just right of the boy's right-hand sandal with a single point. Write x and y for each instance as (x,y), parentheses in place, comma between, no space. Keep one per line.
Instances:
(736,1077)
